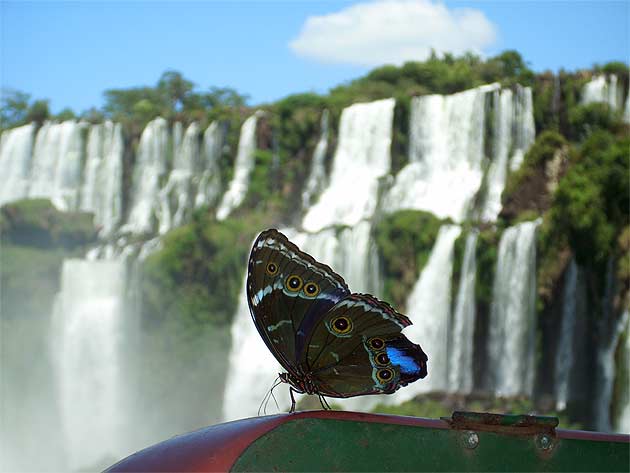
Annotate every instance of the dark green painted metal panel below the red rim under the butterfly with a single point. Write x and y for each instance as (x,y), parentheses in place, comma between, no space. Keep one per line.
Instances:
(311,444)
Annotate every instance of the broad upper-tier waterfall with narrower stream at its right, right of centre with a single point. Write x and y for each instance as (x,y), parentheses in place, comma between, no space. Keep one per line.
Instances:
(446,153)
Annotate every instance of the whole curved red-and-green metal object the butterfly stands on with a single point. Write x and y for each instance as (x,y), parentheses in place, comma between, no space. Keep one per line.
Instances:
(349,441)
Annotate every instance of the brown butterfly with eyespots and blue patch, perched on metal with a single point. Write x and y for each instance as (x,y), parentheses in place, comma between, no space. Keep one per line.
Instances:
(331,342)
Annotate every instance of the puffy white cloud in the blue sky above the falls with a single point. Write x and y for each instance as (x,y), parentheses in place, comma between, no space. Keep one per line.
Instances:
(392,32)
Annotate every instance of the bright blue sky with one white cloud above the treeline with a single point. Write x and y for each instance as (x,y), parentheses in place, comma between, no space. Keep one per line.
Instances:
(70,52)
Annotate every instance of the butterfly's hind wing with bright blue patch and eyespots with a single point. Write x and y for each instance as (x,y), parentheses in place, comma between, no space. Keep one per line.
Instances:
(357,348)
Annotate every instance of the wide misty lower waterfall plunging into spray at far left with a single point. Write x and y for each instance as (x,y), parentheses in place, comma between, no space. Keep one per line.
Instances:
(89,325)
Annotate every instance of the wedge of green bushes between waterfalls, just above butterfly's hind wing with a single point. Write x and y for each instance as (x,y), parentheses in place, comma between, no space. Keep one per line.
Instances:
(404,240)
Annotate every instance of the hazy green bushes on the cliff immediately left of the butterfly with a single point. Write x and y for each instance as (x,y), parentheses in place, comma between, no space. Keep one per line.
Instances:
(197,276)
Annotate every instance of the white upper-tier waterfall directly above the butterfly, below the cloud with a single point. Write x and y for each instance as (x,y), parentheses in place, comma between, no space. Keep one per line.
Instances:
(361,158)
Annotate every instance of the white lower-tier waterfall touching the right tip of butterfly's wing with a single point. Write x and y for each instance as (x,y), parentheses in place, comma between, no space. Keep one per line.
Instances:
(429,308)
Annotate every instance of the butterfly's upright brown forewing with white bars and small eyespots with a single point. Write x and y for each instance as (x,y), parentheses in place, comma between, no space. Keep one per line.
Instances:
(288,292)
